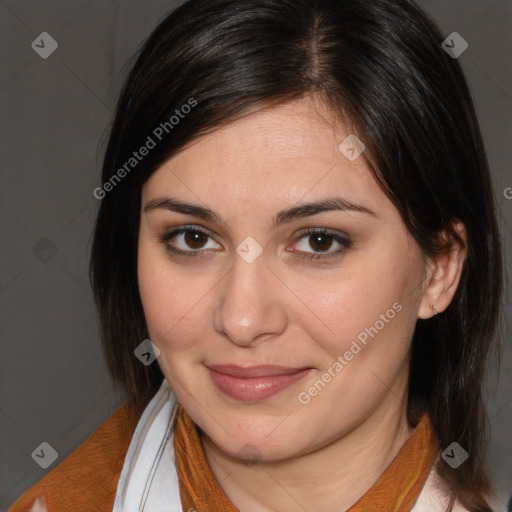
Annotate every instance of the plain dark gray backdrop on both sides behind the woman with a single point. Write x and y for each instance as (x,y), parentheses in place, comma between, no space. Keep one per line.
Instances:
(54,386)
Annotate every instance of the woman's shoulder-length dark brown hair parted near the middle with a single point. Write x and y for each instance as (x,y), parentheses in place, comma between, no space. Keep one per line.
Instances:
(378,64)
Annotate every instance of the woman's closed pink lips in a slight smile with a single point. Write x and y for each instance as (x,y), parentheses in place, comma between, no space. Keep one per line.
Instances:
(254,383)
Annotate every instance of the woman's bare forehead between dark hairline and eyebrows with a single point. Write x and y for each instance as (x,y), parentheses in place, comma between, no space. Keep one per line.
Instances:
(278,155)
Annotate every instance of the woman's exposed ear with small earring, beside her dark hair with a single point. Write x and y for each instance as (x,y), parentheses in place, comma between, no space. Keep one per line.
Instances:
(443,273)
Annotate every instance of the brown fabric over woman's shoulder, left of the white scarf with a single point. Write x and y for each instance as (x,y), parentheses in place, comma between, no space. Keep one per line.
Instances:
(87,478)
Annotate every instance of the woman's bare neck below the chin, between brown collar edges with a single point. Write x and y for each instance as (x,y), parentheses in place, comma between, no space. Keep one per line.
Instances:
(331,478)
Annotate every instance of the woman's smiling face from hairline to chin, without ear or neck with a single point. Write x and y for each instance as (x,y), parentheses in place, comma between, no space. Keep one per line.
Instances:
(279,283)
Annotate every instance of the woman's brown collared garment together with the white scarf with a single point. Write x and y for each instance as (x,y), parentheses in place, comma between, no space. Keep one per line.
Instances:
(147,480)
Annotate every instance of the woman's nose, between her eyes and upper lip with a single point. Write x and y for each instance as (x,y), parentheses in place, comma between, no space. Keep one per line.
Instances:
(250,310)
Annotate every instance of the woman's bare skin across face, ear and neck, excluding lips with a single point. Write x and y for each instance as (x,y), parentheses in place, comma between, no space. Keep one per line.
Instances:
(286,309)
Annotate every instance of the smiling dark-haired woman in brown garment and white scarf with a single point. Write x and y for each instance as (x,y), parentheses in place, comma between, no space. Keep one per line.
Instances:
(297,267)
